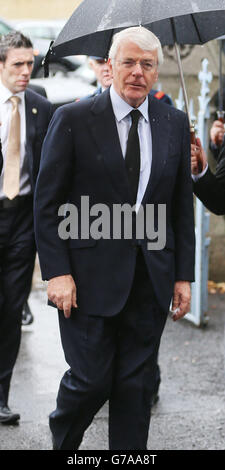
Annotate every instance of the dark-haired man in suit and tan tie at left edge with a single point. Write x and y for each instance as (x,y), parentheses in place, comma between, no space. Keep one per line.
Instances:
(25,116)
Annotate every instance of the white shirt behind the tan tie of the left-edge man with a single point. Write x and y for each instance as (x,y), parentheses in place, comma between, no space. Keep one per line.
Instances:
(5,117)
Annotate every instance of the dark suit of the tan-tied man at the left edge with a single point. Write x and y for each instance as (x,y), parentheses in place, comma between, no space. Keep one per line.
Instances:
(17,245)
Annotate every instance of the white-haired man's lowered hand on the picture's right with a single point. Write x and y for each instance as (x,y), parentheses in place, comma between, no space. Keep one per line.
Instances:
(181,299)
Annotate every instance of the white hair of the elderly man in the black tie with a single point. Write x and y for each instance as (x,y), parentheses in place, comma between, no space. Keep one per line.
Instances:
(140,36)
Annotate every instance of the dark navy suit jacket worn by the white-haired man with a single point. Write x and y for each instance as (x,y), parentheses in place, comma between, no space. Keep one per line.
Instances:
(81,156)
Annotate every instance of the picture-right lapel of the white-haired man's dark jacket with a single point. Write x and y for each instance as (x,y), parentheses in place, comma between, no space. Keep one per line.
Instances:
(160,129)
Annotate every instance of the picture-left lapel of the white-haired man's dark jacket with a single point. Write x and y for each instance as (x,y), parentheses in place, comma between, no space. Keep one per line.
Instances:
(104,131)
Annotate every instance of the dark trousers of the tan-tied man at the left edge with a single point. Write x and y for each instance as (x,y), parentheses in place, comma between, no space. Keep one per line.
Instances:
(17,255)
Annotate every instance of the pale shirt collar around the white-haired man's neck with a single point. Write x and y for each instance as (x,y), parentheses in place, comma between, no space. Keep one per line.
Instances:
(121,108)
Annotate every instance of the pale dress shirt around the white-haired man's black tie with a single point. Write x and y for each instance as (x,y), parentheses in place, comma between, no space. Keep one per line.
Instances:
(122,111)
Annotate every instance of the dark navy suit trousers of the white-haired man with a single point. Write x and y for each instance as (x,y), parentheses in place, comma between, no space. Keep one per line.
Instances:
(114,359)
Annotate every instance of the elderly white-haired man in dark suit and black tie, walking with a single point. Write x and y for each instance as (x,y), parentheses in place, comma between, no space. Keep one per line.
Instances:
(120,149)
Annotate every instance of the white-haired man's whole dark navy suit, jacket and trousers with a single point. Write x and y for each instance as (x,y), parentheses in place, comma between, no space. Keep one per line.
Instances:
(107,272)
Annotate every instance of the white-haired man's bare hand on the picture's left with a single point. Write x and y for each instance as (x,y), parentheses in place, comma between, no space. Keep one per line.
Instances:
(62,292)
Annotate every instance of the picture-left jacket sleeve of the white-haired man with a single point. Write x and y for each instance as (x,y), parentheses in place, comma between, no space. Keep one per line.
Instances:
(56,167)
